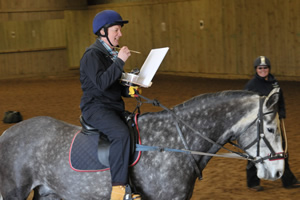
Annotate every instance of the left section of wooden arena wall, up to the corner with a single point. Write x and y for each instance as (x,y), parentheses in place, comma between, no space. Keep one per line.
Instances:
(34,36)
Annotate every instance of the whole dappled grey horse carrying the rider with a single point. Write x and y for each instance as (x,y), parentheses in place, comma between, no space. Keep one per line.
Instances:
(34,153)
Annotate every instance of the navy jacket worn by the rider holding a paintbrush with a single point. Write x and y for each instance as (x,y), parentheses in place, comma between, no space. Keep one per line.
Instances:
(99,77)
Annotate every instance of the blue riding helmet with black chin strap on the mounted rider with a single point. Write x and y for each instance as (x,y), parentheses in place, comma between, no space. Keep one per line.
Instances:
(106,19)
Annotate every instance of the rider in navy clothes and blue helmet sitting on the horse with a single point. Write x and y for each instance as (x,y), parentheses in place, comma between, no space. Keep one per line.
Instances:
(102,105)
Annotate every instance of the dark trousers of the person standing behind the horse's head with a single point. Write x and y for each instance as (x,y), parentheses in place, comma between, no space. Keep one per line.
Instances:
(287,179)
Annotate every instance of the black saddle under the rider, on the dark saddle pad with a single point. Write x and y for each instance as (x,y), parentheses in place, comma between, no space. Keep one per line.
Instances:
(103,143)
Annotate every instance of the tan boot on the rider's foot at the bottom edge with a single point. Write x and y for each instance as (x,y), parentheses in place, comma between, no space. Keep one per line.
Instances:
(122,192)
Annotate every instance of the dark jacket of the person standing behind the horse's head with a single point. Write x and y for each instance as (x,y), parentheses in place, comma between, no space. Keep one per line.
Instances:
(264,87)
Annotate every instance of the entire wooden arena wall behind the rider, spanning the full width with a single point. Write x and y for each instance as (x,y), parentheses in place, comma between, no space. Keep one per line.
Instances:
(211,38)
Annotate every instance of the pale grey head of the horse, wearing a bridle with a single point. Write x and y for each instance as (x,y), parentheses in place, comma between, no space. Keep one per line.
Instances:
(262,140)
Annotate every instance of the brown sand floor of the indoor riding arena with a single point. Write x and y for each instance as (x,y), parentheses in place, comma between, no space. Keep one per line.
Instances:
(223,178)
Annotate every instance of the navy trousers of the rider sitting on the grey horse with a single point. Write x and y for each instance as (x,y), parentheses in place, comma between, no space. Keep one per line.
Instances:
(112,124)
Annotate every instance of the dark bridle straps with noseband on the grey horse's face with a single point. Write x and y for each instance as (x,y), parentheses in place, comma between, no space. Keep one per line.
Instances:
(261,136)
